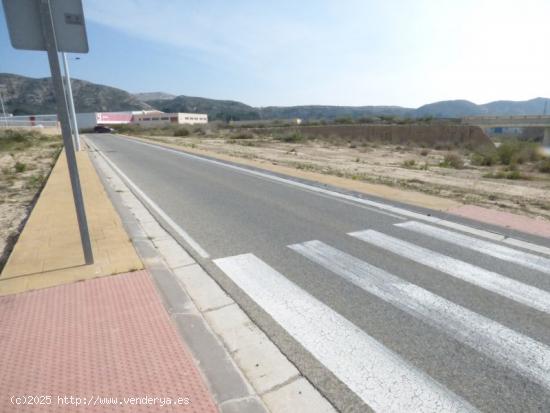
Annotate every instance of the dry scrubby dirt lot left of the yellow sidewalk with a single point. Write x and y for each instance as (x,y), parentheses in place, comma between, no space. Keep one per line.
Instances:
(26,159)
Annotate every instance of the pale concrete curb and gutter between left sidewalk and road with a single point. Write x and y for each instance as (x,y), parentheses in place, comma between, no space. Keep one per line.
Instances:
(244,369)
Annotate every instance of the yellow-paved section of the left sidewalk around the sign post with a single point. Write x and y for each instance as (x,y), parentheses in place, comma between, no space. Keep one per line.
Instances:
(48,251)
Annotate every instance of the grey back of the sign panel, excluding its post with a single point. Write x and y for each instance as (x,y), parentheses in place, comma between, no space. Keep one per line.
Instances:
(25,28)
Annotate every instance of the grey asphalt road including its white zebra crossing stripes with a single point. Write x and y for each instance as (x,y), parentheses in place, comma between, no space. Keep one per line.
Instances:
(445,312)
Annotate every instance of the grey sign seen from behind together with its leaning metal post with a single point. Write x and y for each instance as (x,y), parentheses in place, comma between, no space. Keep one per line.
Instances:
(38,25)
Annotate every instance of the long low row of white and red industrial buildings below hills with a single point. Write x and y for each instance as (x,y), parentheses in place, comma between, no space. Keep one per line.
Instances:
(92,119)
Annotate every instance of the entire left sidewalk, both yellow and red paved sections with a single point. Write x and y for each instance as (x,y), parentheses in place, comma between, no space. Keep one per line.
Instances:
(103,344)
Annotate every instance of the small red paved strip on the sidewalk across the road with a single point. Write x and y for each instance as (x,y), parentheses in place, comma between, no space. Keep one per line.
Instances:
(504,219)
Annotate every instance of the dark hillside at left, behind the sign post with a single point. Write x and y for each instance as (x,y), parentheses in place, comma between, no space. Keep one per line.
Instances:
(25,95)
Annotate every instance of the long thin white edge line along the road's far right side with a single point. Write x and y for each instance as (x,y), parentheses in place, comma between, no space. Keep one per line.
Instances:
(354,199)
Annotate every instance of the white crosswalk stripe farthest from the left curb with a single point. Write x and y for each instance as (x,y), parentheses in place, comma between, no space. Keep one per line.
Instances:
(494,250)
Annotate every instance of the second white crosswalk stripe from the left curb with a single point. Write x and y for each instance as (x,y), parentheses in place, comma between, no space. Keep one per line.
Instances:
(514,350)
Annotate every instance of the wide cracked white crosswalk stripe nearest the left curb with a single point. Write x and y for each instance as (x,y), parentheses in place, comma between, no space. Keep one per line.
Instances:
(381,378)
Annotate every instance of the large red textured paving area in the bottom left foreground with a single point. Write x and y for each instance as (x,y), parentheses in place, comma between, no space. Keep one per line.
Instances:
(107,337)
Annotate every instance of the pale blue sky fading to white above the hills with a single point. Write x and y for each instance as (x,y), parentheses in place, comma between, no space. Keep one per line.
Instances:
(348,52)
